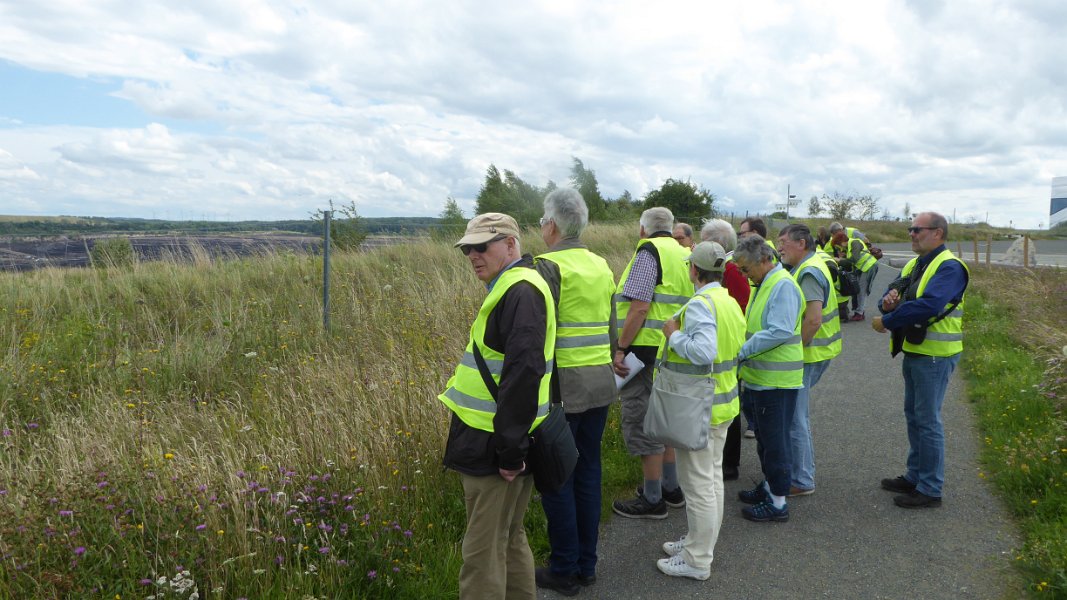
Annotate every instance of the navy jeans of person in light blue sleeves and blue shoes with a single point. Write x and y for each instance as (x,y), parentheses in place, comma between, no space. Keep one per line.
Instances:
(773,410)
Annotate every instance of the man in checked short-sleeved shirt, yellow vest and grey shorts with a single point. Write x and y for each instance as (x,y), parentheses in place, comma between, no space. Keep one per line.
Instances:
(655,287)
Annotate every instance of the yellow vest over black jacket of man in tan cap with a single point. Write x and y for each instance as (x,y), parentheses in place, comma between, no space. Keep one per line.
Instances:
(467,394)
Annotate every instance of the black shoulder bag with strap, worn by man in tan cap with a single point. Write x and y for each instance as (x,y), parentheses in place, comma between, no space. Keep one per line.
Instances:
(552,454)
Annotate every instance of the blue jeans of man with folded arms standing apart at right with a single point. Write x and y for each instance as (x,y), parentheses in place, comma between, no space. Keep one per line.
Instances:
(926,382)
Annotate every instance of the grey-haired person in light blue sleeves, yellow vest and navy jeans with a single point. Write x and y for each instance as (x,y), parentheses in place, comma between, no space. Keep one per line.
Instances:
(772,368)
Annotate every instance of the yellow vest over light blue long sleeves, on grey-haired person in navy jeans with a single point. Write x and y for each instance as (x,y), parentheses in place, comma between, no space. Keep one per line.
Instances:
(783,367)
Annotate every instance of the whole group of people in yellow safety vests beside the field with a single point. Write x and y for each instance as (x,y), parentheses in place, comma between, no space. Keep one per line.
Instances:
(559,331)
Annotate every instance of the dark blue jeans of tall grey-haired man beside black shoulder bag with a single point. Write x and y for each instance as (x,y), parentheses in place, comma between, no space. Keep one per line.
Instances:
(574,513)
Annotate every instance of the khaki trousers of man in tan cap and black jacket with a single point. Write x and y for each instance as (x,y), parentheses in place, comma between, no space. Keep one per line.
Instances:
(498,562)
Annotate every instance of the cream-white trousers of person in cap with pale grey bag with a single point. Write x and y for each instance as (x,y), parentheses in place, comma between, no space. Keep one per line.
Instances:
(700,476)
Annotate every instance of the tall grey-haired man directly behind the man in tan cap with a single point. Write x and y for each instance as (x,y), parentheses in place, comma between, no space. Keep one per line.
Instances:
(582,287)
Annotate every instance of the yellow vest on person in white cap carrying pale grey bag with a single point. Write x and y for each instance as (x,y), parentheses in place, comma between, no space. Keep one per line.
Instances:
(729,338)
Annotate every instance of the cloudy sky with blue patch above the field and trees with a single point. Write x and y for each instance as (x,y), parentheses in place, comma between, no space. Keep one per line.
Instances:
(253,109)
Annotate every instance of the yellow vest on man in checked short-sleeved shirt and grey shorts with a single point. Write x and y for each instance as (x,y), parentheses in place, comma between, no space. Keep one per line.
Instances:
(672,293)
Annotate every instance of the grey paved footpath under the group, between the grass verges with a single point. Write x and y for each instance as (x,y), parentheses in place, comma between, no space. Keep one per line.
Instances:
(848,540)
